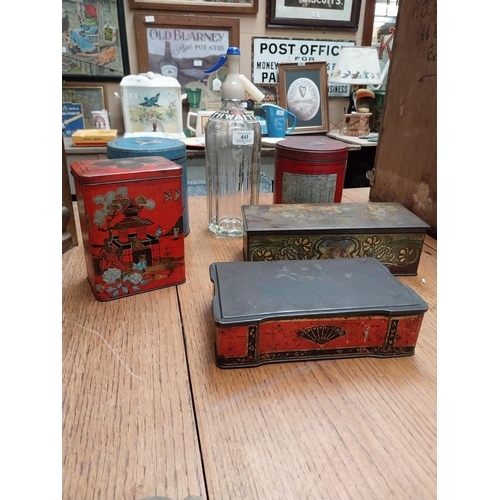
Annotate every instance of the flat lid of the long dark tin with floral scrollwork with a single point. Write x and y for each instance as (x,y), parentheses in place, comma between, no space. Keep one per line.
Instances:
(371,216)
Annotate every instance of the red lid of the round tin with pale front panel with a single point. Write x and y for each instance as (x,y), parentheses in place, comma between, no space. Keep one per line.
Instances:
(311,147)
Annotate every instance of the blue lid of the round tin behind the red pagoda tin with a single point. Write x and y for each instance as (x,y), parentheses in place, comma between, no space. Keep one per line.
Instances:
(143,146)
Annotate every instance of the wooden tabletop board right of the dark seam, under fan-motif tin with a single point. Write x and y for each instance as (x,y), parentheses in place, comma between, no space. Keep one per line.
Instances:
(339,429)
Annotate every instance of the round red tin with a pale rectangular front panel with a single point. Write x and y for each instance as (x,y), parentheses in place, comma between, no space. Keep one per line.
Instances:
(309,169)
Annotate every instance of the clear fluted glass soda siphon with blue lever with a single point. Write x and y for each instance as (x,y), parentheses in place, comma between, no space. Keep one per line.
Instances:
(232,151)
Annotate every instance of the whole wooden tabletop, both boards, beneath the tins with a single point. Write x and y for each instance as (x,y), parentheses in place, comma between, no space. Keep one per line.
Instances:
(147,412)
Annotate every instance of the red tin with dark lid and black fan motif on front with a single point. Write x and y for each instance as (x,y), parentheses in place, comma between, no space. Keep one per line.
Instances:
(307,310)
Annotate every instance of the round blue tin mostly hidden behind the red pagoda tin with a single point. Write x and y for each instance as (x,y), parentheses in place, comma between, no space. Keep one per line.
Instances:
(172,149)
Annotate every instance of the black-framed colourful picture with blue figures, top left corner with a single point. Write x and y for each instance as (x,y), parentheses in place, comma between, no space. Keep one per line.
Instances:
(94,41)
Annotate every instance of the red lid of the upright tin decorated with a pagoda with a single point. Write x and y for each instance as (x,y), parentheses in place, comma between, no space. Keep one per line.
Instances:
(124,169)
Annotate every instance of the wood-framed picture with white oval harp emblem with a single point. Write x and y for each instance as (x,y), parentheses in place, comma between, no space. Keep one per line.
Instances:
(303,90)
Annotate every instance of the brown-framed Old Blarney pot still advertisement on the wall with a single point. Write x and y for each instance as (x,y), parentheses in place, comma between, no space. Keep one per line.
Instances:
(183,46)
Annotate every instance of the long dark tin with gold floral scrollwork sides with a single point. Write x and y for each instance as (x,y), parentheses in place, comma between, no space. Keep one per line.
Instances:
(387,231)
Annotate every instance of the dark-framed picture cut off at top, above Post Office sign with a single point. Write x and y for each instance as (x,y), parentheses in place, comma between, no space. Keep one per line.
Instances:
(339,15)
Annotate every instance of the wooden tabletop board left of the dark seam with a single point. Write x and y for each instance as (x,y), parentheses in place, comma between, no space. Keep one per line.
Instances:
(128,424)
